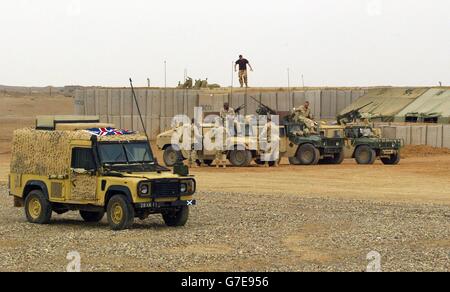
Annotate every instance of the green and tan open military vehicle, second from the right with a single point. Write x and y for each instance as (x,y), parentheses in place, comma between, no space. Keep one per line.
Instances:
(311,149)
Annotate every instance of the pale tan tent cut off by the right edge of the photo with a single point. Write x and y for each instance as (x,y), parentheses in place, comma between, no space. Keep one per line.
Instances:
(432,107)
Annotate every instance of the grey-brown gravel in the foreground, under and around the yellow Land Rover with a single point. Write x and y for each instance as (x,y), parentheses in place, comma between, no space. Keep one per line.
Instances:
(239,232)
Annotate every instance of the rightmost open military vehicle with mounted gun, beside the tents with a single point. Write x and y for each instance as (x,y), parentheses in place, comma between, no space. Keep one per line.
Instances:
(363,142)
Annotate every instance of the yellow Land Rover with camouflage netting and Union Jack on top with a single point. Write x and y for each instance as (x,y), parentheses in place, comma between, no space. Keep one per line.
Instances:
(77,164)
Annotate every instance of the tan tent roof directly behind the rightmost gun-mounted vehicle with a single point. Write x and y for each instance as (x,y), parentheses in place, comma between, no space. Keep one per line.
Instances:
(383,104)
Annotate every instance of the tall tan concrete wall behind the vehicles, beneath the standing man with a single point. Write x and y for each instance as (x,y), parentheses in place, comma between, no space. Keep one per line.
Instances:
(159,106)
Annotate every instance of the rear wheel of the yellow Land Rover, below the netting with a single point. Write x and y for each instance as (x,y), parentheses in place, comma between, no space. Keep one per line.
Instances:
(38,209)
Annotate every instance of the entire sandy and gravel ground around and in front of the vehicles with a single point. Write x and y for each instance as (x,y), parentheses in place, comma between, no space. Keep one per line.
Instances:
(287,218)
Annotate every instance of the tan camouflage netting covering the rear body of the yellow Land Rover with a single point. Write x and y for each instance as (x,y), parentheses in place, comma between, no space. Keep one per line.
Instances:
(43,152)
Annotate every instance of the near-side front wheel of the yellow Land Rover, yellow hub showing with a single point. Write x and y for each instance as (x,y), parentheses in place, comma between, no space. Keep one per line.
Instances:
(120,213)
